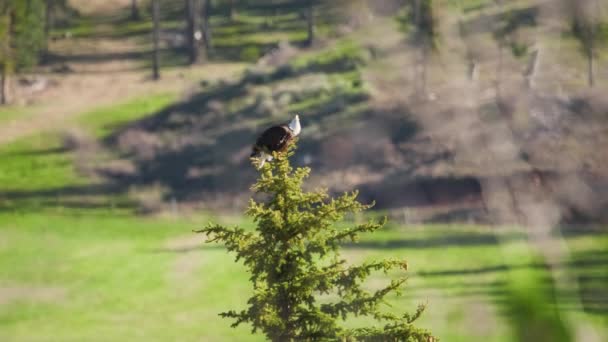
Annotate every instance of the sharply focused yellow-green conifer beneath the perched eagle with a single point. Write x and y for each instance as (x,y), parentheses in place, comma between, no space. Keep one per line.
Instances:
(294,258)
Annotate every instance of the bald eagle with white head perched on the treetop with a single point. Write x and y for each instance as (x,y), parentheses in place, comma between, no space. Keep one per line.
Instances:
(275,139)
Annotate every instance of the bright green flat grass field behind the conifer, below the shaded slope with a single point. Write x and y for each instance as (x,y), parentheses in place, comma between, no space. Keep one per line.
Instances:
(112,277)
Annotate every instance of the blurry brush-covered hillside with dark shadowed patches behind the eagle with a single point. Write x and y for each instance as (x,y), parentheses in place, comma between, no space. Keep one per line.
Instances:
(453,150)
